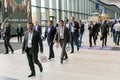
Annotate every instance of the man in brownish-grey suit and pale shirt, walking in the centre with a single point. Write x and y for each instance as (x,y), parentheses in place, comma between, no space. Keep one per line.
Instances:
(62,37)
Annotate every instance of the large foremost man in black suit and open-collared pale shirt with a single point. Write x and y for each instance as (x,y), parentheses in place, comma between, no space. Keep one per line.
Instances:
(31,47)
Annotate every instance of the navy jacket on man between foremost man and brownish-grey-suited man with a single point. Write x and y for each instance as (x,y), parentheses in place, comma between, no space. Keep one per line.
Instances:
(50,36)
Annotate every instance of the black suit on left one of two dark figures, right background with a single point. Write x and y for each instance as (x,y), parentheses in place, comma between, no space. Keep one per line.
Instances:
(92,34)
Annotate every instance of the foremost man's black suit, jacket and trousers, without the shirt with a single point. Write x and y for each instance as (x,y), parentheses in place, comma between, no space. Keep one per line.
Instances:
(32,53)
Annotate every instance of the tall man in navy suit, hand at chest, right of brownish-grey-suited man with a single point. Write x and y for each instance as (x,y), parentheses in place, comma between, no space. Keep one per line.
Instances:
(74,33)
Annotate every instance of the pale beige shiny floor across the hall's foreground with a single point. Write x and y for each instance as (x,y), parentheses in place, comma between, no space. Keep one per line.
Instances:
(86,64)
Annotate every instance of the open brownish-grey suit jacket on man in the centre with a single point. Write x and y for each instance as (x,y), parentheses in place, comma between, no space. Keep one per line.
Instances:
(66,35)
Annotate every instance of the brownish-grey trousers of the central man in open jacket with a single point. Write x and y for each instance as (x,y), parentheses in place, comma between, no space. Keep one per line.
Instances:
(63,46)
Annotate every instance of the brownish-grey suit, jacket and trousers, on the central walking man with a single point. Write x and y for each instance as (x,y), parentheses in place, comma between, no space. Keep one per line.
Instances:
(63,42)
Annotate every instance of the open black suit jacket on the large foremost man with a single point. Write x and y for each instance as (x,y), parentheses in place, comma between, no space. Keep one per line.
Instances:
(35,40)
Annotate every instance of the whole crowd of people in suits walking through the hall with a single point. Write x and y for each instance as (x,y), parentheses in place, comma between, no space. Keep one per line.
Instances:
(65,33)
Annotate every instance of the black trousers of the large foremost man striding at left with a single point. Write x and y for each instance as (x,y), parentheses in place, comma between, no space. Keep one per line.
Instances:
(33,58)
